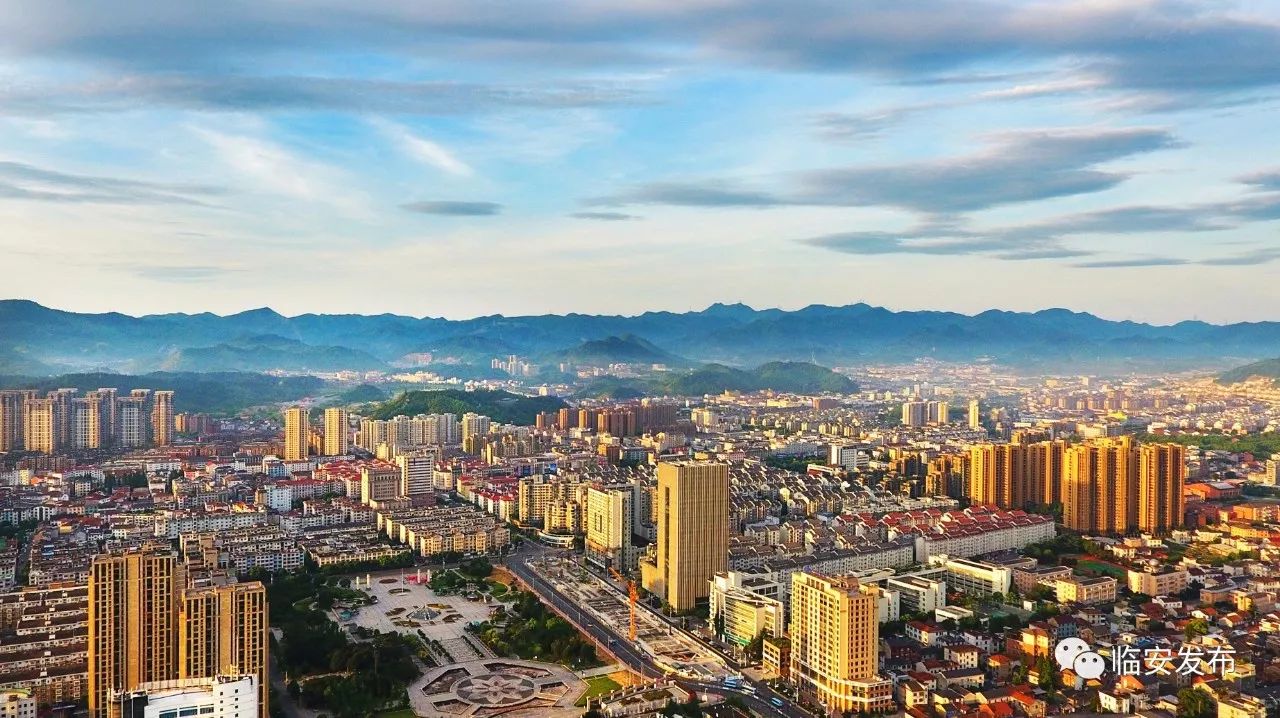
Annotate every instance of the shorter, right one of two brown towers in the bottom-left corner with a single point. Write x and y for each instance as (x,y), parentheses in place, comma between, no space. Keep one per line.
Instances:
(223,629)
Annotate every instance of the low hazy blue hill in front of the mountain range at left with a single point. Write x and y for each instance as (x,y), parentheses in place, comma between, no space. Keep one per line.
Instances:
(268,353)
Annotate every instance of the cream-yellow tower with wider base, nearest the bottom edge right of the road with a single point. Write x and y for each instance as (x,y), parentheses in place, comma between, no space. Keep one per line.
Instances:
(835,643)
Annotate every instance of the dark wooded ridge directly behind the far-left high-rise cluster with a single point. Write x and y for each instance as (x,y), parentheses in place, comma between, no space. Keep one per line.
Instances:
(221,394)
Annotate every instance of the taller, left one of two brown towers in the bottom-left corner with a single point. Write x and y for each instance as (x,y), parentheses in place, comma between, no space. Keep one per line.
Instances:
(132,623)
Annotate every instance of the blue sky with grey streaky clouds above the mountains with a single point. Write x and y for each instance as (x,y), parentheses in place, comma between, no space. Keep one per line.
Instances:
(470,158)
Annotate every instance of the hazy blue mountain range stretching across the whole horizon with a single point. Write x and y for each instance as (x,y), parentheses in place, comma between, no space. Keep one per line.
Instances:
(36,340)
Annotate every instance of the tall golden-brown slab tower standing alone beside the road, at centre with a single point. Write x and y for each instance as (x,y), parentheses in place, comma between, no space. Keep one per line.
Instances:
(693,531)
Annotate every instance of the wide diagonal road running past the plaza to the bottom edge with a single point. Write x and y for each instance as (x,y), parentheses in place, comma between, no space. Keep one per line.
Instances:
(636,658)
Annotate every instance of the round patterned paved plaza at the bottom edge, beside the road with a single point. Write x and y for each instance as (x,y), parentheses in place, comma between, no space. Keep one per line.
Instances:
(506,687)
